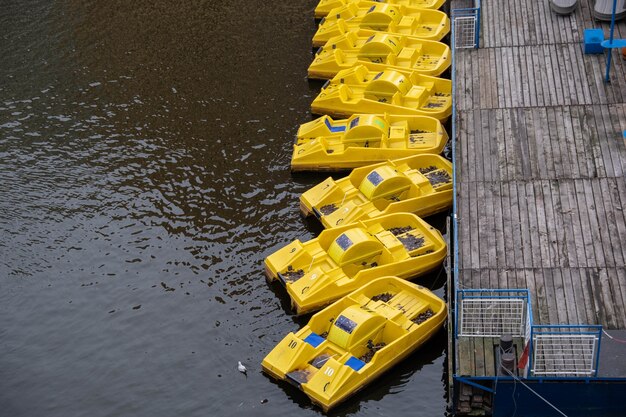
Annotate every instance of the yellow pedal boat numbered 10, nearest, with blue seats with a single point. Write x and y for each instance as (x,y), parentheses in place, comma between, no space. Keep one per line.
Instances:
(348,344)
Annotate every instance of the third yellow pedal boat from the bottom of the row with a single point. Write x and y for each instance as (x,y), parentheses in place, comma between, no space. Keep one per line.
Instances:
(420,184)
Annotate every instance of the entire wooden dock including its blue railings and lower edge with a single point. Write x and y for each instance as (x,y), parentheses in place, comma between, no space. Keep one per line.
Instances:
(541,206)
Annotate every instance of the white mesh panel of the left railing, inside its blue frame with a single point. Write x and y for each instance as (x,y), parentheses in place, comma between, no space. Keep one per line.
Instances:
(492,317)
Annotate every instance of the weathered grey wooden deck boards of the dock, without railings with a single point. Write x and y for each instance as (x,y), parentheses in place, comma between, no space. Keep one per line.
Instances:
(541,164)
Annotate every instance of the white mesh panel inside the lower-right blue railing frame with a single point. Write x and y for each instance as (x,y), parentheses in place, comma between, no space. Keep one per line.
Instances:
(564,354)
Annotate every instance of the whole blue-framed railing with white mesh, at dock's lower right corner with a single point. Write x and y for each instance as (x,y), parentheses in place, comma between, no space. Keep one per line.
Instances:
(564,351)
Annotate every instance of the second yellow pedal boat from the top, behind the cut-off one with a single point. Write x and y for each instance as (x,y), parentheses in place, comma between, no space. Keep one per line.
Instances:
(370,15)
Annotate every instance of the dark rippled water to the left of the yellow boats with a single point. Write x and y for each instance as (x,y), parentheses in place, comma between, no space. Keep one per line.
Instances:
(144,152)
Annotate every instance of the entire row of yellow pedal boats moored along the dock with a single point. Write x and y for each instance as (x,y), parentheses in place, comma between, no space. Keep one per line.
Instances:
(382,110)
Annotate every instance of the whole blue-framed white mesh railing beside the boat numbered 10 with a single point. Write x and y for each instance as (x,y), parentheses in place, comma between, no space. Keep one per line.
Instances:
(493,312)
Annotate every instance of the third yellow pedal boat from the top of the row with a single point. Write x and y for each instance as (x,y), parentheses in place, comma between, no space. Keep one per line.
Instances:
(380,51)
